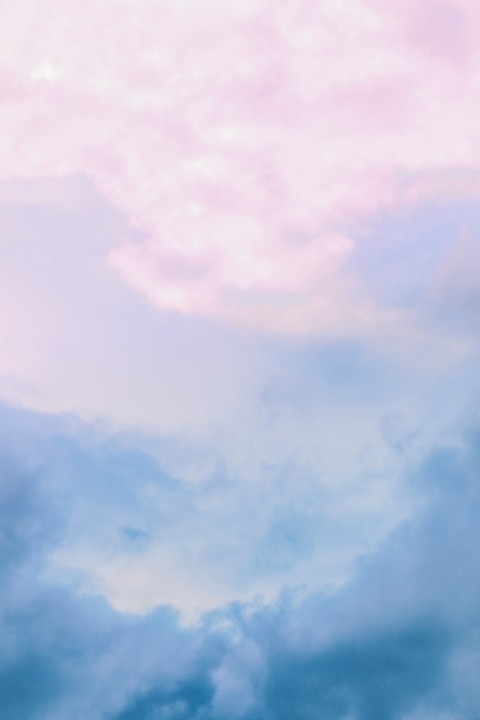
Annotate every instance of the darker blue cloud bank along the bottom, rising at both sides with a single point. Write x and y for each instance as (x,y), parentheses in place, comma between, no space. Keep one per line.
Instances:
(401,638)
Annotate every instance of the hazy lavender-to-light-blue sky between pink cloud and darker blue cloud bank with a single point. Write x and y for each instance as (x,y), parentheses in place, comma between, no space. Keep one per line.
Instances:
(287,457)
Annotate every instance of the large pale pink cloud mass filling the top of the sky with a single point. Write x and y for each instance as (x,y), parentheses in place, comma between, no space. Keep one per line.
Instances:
(247,140)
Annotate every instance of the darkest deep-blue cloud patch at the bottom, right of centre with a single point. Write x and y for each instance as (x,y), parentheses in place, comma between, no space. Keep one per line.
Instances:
(377,676)
